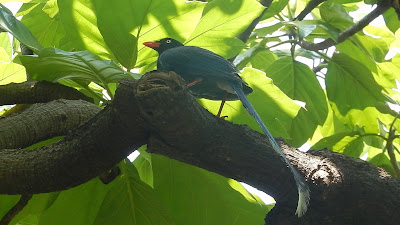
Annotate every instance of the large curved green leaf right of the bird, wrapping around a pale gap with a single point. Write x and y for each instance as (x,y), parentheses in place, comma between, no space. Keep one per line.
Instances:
(299,82)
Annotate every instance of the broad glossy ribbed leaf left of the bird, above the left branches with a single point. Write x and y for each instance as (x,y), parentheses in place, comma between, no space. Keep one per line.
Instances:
(53,64)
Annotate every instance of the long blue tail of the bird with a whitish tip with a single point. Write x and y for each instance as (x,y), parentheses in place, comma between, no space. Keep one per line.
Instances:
(302,187)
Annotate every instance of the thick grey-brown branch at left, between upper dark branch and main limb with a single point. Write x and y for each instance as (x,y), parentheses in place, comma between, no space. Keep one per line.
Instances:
(44,120)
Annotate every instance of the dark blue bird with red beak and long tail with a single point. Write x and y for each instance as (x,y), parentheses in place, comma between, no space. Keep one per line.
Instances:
(211,76)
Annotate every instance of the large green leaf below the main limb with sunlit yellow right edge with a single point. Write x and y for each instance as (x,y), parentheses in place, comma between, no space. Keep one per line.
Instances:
(194,194)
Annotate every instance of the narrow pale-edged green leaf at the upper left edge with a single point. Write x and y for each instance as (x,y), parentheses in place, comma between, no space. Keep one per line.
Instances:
(10,24)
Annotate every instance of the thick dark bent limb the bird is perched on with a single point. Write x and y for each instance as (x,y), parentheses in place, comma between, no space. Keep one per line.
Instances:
(158,111)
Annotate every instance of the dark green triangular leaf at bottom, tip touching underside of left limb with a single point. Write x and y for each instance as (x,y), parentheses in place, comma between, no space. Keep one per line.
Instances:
(131,202)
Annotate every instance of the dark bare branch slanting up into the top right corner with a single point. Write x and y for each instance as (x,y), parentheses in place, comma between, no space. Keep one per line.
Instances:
(381,8)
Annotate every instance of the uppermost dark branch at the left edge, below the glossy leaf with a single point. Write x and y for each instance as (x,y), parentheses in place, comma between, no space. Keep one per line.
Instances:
(34,92)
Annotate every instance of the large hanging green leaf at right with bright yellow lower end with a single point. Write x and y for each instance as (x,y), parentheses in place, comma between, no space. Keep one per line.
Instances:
(353,92)
